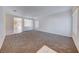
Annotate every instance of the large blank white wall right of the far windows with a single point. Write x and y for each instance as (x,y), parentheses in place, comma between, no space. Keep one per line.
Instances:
(59,23)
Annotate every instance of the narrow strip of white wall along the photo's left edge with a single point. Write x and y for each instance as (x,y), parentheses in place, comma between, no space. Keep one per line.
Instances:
(2,29)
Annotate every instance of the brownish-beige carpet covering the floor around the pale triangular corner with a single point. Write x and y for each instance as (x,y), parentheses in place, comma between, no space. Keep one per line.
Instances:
(32,41)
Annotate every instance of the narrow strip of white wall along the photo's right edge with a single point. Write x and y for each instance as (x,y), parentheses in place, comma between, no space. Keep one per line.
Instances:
(75,32)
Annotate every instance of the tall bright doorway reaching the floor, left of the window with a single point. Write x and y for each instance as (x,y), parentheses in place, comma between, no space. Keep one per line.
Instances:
(17,25)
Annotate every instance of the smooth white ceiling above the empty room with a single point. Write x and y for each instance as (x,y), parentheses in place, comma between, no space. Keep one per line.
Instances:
(36,11)
